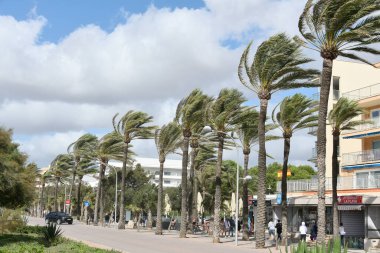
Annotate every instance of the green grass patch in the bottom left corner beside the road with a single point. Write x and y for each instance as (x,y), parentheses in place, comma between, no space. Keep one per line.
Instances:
(35,243)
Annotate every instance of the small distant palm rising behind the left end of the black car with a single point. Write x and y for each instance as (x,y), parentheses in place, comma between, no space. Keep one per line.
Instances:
(60,168)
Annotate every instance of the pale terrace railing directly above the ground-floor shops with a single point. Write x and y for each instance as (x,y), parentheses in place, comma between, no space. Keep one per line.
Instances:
(343,183)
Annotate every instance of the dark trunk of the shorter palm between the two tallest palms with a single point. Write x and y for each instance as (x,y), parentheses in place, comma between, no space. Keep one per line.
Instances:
(284,192)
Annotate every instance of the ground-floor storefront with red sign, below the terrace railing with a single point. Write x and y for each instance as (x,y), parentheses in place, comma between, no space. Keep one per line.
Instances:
(360,216)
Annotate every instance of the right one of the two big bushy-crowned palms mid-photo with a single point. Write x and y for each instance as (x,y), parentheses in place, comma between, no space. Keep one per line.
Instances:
(221,114)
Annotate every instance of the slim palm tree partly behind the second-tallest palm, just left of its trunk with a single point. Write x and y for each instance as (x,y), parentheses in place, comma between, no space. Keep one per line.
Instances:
(248,135)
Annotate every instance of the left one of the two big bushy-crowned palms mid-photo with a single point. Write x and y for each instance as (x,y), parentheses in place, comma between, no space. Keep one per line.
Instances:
(189,113)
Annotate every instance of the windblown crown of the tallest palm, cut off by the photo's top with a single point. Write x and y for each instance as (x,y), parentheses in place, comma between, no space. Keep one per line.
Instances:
(340,27)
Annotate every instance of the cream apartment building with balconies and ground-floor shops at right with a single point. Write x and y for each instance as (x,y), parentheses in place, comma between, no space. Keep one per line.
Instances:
(359,162)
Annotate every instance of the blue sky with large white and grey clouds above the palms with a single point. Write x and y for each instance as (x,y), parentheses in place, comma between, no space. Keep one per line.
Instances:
(68,67)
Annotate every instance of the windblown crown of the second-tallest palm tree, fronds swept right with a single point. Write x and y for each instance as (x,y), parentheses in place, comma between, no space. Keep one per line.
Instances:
(276,66)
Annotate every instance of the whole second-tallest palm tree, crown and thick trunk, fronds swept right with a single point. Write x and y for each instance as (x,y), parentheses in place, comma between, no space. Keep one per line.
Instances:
(276,66)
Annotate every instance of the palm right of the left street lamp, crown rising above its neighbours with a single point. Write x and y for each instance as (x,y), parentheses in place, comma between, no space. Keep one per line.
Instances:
(130,127)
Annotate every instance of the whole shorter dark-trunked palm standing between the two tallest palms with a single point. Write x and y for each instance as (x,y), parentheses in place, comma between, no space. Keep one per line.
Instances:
(295,113)
